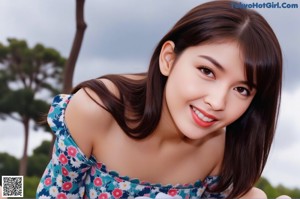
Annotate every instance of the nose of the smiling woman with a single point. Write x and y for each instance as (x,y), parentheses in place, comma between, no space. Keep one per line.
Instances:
(216,99)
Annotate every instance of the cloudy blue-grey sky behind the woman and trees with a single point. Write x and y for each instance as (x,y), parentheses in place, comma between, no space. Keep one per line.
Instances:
(120,38)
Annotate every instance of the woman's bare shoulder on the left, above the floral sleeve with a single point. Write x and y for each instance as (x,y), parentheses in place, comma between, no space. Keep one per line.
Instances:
(86,119)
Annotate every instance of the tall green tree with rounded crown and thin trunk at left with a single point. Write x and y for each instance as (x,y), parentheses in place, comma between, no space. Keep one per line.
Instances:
(28,74)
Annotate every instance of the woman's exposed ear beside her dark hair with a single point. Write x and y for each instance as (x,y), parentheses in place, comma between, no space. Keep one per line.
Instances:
(167,58)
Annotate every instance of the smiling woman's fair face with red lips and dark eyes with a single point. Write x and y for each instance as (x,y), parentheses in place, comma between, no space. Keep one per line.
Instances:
(206,89)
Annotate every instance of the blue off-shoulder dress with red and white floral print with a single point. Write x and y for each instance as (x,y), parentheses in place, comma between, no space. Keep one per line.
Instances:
(70,174)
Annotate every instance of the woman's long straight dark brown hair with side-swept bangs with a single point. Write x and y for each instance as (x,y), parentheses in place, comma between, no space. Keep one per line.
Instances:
(248,139)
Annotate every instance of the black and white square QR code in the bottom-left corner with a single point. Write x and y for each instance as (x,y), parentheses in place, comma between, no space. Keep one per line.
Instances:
(12,186)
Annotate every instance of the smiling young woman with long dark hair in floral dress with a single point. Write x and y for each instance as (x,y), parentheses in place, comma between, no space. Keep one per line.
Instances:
(198,124)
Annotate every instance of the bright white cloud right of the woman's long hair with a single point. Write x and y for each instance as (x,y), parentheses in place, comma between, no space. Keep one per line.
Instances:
(284,162)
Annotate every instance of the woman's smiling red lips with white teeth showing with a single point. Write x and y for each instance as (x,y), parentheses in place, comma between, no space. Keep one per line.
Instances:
(202,118)
